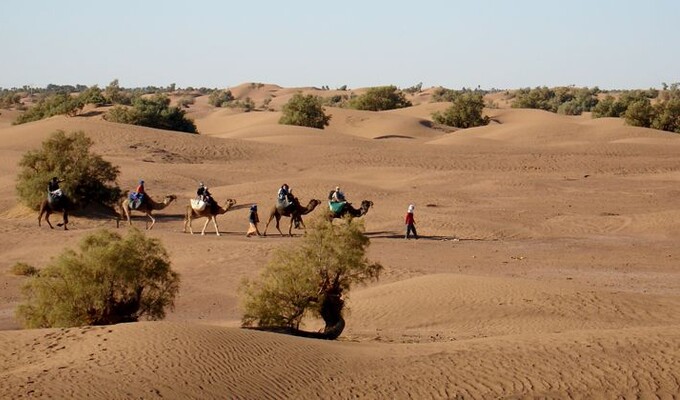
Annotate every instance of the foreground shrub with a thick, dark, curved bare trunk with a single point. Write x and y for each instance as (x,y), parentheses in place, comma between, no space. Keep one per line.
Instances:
(309,278)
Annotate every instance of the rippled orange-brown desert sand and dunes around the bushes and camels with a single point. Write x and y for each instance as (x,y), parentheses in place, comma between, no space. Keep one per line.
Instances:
(547,265)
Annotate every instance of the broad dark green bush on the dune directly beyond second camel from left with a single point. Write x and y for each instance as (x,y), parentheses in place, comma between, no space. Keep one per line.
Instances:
(154,112)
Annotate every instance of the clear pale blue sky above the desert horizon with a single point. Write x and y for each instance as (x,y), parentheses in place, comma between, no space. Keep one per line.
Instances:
(491,43)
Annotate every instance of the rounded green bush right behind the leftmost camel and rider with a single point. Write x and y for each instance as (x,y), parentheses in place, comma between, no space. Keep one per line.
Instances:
(87,176)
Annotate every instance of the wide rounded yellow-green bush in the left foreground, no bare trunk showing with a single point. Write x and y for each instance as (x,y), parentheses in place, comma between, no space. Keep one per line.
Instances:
(110,279)
